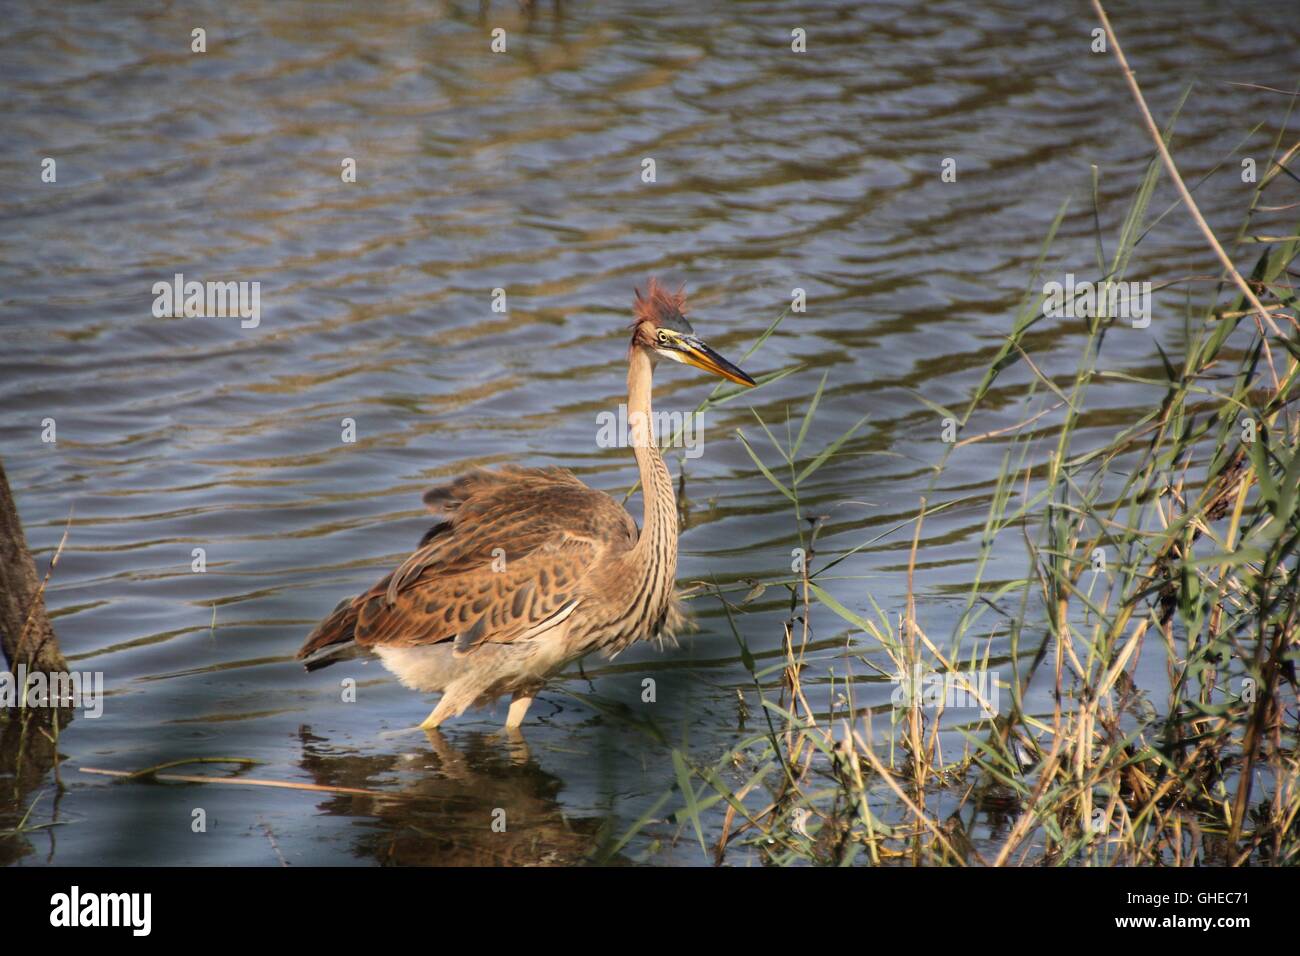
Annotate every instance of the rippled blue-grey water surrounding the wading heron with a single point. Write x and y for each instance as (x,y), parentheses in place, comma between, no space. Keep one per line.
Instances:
(523,172)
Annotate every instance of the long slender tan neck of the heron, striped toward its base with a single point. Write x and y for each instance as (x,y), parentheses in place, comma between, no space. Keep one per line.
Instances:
(657,548)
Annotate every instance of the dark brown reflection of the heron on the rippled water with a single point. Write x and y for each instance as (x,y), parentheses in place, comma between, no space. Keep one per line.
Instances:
(486,803)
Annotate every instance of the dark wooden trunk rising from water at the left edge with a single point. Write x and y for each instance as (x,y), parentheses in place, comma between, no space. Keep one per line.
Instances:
(27,635)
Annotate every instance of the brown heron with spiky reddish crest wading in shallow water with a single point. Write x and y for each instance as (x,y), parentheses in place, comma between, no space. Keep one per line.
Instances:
(527,570)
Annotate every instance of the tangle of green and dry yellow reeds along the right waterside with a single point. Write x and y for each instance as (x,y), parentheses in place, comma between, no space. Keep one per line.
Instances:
(1176,538)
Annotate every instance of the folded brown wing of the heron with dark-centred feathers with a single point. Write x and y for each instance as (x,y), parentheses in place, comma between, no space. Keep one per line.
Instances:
(506,561)
